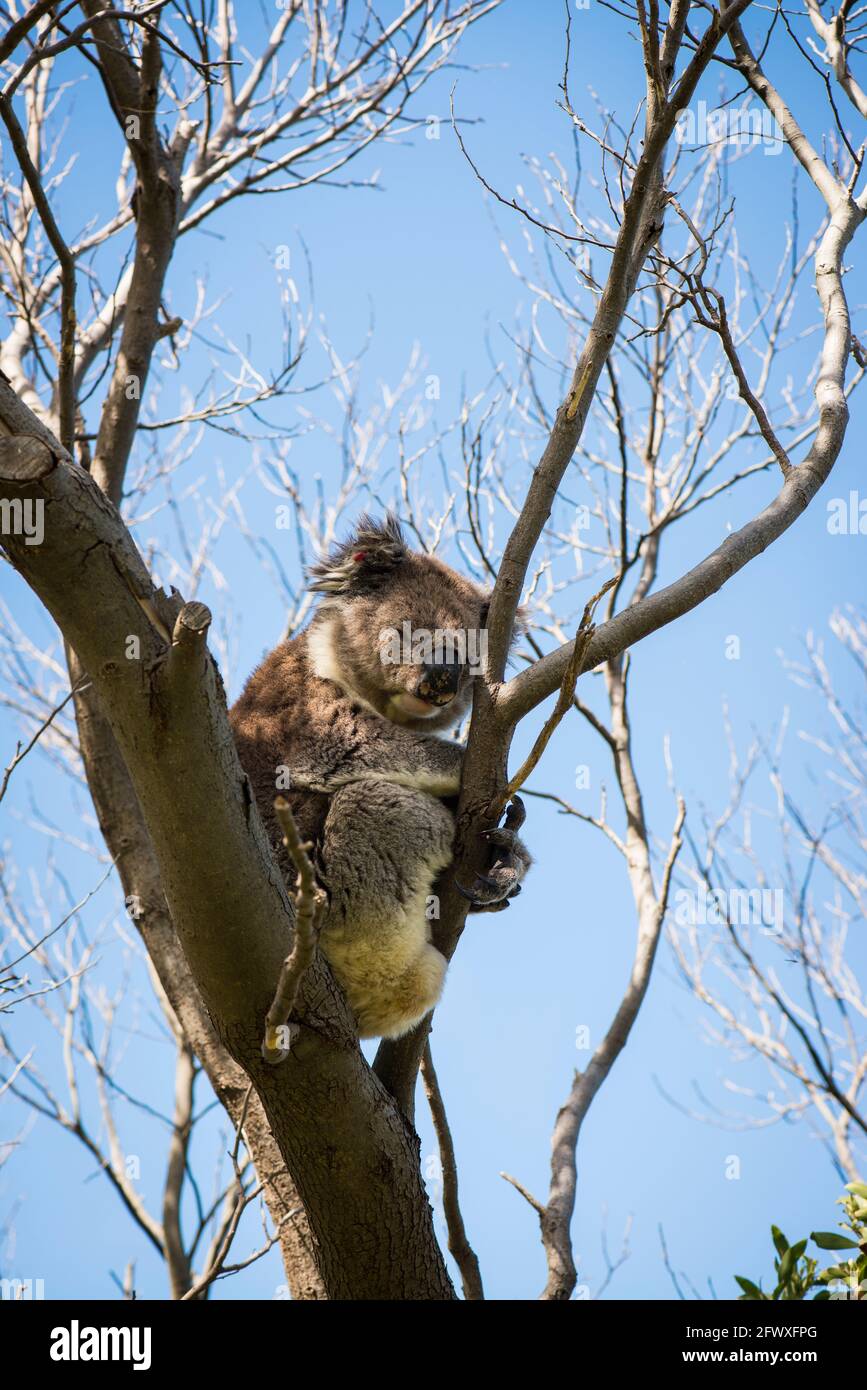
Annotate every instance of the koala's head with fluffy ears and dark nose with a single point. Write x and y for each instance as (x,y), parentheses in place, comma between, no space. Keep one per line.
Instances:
(399,630)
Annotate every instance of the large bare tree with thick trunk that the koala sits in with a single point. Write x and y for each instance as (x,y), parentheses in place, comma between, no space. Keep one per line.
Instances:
(217,921)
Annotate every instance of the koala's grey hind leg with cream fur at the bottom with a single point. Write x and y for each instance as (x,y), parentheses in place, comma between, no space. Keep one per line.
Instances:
(383,849)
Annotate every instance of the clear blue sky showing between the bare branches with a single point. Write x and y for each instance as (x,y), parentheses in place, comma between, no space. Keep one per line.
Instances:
(424,254)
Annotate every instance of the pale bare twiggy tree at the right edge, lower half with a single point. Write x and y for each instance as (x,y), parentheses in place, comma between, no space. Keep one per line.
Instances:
(775,961)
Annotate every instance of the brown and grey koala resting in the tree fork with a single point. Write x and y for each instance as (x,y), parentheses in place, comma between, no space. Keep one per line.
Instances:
(347,719)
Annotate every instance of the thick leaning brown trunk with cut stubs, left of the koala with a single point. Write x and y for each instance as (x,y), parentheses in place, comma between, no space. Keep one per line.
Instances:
(352,1156)
